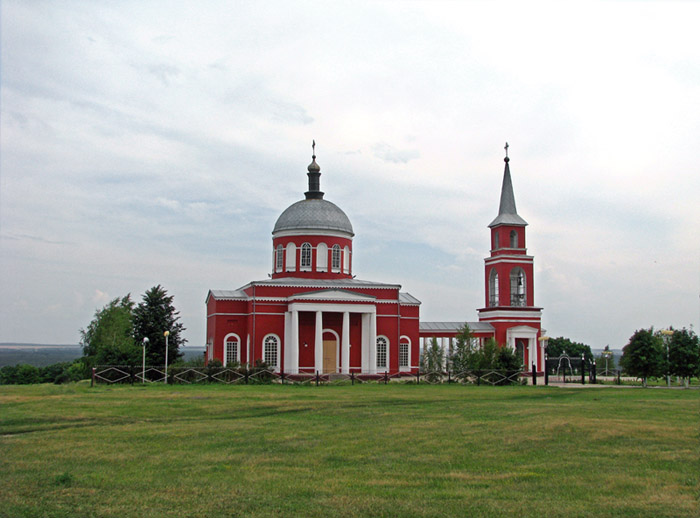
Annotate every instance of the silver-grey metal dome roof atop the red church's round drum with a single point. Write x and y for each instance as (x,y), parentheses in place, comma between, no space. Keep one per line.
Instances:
(313,214)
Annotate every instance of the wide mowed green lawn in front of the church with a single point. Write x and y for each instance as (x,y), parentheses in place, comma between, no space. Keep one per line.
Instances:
(344,451)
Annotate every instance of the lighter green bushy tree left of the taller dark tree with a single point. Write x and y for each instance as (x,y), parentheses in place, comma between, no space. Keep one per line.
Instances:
(109,338)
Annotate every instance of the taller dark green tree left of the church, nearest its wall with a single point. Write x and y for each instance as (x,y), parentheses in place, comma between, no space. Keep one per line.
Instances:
(153,316)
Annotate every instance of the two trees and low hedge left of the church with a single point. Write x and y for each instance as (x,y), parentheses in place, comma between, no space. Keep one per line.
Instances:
(118,334)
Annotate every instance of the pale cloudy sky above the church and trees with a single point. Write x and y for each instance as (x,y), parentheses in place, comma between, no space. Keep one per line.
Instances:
(153,142)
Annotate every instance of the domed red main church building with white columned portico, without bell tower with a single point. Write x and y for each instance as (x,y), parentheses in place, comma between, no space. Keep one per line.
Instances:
(313,315)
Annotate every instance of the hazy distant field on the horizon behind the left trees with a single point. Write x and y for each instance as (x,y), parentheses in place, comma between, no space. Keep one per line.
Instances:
(41,355)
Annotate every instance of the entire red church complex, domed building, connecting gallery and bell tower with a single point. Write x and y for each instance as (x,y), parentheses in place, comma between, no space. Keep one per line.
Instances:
(313,316)
